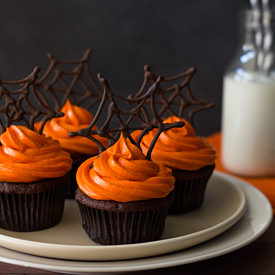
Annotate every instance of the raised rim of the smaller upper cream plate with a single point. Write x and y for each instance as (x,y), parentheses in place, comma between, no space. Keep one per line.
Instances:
(168,245)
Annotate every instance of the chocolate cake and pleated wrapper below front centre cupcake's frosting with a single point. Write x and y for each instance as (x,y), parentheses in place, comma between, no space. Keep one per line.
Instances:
(113,223)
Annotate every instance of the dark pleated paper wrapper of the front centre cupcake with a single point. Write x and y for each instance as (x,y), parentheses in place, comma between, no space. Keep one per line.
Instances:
(112,228)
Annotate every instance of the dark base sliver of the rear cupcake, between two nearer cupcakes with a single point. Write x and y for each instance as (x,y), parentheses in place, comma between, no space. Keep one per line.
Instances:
(78,159)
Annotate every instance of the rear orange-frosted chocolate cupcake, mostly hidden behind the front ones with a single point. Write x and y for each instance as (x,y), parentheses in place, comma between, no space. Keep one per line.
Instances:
(80,148)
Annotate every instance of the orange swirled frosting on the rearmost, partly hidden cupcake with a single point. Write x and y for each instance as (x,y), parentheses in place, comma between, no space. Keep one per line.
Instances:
(74,119)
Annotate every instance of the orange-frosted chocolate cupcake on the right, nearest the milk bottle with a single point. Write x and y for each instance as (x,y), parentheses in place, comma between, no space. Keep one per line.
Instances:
(191,158)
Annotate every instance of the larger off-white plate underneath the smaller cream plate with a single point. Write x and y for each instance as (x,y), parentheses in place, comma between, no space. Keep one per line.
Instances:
(255,221)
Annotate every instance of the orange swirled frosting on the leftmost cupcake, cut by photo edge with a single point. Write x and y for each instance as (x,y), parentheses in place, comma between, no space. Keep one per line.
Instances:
(26,156)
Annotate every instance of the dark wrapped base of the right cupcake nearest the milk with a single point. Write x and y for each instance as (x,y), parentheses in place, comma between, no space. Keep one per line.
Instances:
(189,189)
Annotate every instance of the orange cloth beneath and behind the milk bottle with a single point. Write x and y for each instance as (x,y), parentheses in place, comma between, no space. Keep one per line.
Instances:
(264,184)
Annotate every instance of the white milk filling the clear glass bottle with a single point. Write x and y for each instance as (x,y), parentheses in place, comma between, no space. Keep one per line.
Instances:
(248,125)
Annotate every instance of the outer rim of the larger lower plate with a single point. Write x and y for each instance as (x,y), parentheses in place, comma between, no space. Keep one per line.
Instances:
(152,264)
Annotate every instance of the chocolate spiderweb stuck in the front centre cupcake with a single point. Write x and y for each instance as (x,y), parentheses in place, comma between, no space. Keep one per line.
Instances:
(139,115)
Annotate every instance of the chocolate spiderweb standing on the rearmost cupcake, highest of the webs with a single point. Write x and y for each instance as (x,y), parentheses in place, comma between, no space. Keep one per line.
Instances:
(69,79)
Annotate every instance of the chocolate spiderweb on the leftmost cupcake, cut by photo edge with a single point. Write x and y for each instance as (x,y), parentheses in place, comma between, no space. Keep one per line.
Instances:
(21,103)
